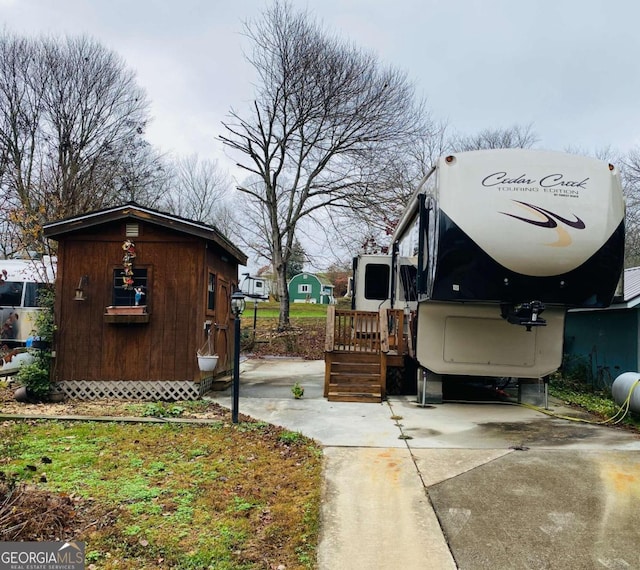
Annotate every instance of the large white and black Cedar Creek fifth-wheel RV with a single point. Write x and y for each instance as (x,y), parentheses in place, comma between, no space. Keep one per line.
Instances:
(493,248)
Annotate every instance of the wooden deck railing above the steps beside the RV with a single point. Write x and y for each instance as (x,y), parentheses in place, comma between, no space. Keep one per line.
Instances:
(365,331)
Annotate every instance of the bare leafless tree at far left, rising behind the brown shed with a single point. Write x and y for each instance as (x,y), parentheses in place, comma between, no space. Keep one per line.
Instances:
(71,124)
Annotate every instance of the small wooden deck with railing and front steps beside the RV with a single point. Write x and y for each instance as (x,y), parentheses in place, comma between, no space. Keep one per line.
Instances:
(356,348)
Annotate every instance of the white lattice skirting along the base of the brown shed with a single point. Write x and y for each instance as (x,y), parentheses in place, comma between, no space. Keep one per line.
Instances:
(135,390)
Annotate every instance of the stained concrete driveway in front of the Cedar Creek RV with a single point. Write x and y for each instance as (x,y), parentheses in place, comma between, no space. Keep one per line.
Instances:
(459,485)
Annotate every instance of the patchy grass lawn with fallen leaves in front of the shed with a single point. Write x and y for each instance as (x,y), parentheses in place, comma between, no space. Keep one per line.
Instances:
(163,495)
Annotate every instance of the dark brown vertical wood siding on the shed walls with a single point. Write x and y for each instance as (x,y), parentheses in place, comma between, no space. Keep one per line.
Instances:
(88,348)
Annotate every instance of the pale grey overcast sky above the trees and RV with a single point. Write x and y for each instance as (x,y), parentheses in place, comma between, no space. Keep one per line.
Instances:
(570,68)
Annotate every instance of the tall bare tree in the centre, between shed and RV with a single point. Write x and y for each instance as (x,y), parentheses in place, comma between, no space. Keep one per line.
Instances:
(325,123)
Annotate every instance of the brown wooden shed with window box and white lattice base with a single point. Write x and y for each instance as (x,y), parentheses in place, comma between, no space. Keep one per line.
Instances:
(110,342)
